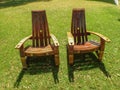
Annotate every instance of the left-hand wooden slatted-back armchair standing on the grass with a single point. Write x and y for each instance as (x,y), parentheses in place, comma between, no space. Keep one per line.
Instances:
(41,40)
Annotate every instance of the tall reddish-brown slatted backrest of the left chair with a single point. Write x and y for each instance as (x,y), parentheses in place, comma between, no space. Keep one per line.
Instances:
(40,29)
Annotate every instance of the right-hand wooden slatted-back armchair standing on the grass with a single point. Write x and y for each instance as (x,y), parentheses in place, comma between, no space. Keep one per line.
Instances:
(78,38)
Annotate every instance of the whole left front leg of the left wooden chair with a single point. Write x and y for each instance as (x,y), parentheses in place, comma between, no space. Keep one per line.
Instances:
(23,59)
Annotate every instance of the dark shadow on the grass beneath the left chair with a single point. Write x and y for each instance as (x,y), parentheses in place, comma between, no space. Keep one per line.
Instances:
(39,65)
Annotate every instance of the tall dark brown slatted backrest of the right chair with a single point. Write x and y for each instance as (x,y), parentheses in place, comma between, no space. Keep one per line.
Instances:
(78,27)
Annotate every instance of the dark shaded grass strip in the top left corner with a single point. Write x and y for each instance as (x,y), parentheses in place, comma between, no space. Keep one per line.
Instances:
(13,3)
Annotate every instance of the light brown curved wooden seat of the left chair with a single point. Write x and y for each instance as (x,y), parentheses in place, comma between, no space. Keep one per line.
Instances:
(39,51)
